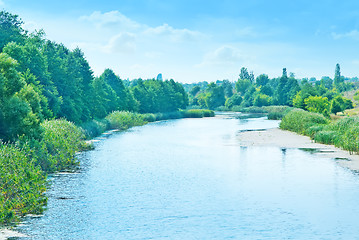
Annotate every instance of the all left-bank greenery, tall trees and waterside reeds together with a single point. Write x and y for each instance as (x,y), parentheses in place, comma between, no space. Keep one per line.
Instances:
(50,102)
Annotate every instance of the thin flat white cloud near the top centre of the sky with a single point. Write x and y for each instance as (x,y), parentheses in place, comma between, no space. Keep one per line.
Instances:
(174,34)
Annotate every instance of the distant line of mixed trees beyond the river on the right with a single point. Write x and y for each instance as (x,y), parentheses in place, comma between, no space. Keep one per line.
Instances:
(322,96)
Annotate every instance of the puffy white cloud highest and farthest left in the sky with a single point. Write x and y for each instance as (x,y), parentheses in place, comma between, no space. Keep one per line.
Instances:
(111,19)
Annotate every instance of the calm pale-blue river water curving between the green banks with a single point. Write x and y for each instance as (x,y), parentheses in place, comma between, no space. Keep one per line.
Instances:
(190,179)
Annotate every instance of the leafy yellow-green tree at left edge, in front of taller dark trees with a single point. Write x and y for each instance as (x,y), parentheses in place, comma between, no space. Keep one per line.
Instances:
(19,103)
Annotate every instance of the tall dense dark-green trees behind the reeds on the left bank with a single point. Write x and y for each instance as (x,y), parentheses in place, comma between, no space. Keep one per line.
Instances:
(41,79)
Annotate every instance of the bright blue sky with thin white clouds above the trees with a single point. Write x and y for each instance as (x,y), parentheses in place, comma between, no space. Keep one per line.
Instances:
(197,40)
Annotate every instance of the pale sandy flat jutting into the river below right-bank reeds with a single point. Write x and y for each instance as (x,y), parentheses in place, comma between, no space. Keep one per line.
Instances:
(287,139)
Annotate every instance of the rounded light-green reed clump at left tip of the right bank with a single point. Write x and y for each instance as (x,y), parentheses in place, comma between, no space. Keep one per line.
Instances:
(300,121)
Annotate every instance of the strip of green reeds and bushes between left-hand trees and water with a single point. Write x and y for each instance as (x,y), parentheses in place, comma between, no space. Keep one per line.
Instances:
(25,163)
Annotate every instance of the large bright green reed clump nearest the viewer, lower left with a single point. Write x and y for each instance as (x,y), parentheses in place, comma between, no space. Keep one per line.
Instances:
(22,185)
